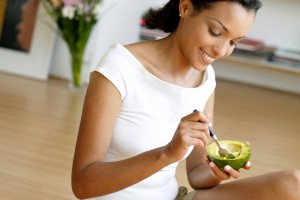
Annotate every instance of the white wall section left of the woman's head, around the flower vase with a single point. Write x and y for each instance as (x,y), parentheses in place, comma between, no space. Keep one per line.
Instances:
(119,23)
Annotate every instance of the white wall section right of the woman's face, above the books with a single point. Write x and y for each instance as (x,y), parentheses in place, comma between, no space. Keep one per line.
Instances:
(277,23)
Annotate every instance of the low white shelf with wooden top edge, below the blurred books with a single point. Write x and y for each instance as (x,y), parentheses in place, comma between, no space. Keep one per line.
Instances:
(259,72)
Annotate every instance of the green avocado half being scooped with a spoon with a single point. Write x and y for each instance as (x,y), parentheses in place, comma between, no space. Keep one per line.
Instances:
(241,151)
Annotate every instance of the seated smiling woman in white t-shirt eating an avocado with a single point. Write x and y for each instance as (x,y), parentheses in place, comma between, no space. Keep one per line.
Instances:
(138,118)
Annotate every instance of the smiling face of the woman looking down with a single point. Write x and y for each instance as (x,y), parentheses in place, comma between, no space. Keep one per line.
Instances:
(212,33)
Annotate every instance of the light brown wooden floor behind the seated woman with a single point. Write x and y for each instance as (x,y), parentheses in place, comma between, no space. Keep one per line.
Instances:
(39,121)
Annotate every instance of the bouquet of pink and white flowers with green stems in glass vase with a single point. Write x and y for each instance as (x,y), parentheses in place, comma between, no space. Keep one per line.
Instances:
(75,20)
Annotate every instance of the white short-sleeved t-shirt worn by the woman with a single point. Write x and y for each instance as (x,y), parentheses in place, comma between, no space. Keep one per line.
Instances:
(150,113)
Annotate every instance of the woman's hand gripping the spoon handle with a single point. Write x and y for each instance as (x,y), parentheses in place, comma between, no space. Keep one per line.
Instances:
(192,130)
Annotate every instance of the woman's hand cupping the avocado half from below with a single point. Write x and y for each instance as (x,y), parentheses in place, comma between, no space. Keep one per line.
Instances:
(226,173)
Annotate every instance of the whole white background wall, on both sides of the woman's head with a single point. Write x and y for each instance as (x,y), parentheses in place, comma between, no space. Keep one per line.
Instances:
(277,23)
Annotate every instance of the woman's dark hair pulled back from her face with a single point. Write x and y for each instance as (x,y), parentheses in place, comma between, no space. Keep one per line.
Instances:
(167,17)
